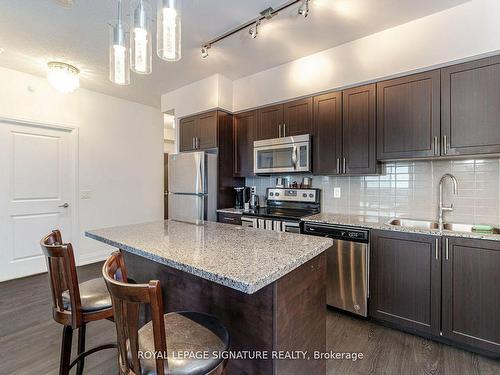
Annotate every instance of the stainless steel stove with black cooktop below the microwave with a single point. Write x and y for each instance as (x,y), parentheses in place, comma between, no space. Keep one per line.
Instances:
(284,210)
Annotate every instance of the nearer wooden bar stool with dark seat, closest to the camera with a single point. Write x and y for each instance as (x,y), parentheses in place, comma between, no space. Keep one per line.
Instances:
(167,334)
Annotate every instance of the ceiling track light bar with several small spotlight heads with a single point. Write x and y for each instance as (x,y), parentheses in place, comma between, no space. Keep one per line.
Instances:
(266,14)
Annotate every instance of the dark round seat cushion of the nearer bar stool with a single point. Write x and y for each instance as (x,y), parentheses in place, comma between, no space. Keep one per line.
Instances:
(186,331)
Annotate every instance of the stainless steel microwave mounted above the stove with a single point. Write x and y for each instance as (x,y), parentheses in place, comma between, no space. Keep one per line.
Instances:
(282,155)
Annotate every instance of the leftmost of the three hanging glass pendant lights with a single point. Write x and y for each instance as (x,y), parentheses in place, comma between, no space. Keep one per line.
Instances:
(119,59)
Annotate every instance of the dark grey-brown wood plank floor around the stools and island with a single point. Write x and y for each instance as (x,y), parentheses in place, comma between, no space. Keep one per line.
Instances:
(30,340)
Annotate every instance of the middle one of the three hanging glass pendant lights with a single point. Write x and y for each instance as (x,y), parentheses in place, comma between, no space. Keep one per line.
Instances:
(140,37)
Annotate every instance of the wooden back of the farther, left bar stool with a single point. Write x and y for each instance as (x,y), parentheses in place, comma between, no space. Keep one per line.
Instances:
(63,277)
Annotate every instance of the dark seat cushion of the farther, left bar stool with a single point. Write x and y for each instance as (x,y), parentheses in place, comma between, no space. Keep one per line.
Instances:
(94,296)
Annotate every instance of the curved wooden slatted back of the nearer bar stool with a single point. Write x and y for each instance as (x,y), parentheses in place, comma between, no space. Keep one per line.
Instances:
(126,299)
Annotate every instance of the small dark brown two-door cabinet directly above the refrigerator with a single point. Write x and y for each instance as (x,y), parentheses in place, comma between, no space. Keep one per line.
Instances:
(199,132)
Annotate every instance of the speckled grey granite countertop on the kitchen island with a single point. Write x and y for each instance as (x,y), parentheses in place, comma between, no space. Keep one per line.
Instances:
(245,259)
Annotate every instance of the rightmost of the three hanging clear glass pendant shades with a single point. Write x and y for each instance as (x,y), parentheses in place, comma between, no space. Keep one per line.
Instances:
(169,30)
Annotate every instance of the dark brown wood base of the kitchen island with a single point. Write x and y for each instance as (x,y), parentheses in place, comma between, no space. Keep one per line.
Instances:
(287,317)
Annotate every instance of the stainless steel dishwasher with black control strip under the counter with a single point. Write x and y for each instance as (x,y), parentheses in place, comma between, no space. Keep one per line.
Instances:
(347,266)
